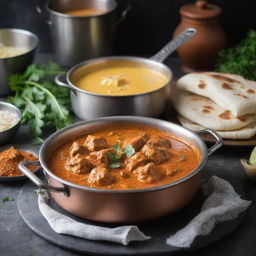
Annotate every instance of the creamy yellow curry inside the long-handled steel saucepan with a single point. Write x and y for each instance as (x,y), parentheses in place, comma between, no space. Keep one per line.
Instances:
(121,79)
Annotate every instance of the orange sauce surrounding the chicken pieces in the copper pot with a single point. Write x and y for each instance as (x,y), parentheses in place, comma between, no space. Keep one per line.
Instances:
(122,133)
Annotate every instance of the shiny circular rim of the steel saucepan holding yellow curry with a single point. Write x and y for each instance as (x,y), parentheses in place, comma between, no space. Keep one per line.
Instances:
(129,58)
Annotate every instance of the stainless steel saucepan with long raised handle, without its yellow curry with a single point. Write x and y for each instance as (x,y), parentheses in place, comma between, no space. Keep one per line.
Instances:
(87,105)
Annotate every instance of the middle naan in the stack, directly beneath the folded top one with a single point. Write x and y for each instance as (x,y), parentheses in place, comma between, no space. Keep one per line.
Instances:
(205,112)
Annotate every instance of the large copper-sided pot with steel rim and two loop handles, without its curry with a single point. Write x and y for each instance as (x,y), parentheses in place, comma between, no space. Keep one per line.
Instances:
(108,205)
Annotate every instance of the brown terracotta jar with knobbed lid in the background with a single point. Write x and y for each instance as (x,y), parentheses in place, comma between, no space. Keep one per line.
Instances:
(200,53)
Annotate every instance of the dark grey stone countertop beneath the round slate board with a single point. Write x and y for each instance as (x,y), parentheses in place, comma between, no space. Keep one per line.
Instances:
(16,239)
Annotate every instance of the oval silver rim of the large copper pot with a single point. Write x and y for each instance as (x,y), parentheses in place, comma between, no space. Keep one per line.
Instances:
(137,120)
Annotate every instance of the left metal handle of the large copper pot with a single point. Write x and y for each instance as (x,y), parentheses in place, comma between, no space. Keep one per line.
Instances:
(37,181)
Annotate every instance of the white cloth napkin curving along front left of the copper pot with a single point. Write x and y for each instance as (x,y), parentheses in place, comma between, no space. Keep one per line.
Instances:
(65,225)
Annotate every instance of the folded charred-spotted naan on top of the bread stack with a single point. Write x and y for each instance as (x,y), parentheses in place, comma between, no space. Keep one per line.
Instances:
(230,92)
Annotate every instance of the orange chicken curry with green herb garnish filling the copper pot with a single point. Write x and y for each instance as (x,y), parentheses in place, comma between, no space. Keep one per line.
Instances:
(124,157)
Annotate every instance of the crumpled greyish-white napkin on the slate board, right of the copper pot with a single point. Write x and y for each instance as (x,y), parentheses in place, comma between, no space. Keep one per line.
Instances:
(222,204)
